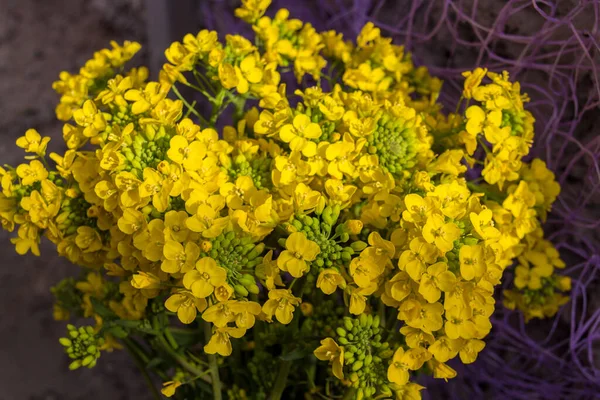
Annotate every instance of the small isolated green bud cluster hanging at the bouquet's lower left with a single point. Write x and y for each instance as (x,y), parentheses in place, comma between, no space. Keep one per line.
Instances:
(82,345)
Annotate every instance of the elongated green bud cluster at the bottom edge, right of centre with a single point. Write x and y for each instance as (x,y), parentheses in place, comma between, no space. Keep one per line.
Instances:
(365,353)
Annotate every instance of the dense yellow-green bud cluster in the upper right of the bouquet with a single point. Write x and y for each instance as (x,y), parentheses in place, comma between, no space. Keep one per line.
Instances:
(394,144)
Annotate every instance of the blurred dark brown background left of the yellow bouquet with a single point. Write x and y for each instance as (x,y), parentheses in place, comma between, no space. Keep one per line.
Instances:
(38,39)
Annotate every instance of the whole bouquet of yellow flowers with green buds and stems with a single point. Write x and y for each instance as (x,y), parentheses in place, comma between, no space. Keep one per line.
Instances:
(348,223)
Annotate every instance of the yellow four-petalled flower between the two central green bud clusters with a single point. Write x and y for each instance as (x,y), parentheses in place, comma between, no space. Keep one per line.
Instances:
(298,251)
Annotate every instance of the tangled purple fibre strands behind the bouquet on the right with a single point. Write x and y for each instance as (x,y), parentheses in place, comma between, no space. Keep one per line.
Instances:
(553,49)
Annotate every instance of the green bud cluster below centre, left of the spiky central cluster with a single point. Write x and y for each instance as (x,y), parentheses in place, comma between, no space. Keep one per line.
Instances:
(239,256)
